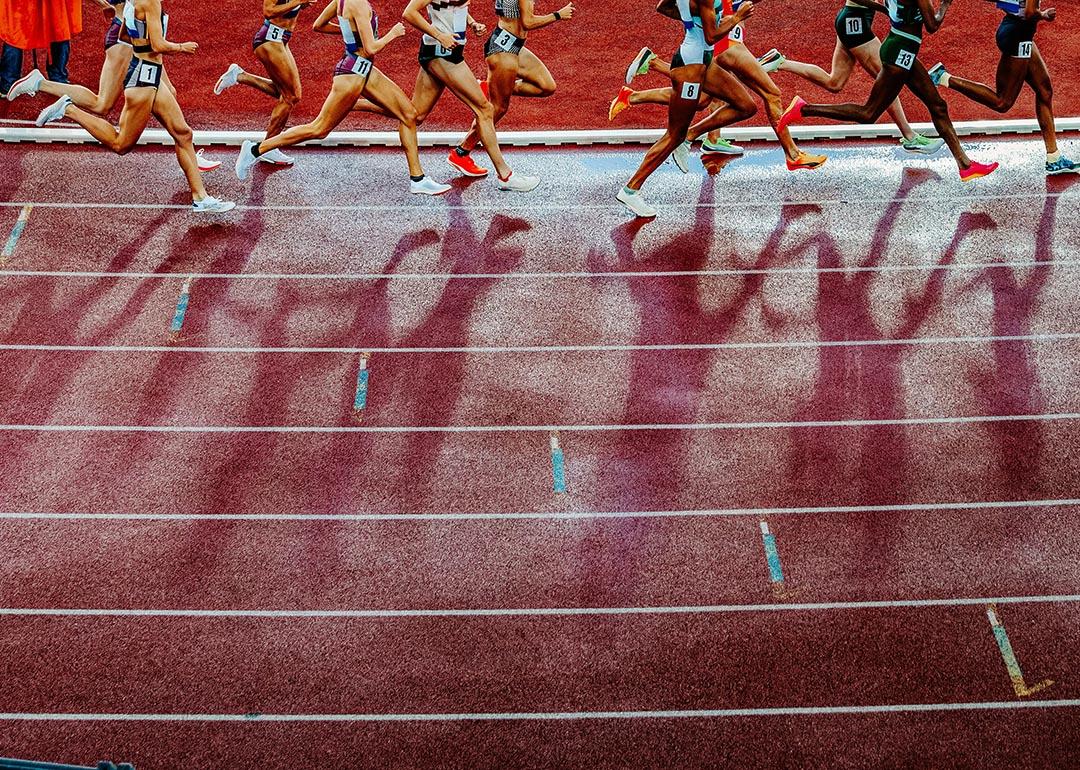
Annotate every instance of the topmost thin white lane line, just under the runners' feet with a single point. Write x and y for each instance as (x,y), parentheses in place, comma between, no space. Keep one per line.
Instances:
(427,211)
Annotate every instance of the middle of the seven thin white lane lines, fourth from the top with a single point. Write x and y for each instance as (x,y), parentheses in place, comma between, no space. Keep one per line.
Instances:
(910,422)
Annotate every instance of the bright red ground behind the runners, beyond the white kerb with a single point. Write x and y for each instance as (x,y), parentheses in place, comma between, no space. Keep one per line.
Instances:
(588,58)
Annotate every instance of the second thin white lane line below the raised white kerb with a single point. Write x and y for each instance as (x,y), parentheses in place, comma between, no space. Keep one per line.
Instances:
(546,276)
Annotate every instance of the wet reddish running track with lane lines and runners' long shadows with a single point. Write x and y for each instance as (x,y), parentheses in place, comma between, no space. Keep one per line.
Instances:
(212,560)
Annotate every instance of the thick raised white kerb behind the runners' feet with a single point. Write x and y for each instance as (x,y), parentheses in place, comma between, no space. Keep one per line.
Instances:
(521,139)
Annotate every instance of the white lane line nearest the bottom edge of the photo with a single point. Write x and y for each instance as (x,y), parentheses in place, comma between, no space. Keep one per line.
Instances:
(563,717)
